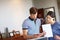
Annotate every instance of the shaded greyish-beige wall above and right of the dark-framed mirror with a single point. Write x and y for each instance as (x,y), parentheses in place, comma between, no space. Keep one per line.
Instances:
(46,4)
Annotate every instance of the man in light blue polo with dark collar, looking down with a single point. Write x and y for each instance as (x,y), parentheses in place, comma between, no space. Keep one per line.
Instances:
(31,25)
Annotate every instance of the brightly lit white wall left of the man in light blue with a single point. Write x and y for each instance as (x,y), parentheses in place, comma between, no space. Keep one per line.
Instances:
(13,13)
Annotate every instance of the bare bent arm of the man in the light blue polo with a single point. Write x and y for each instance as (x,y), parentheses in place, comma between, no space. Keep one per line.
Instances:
(26,36)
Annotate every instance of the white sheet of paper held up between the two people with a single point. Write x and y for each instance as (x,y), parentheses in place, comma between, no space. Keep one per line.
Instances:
(47,28)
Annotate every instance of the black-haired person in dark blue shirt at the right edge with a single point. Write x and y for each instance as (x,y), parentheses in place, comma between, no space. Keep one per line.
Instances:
(50,19)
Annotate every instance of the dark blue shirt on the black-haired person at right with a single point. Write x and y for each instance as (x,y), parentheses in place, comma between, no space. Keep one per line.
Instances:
(55,29)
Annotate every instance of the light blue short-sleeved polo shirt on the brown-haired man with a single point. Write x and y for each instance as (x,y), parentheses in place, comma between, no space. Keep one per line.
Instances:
(31,26)
